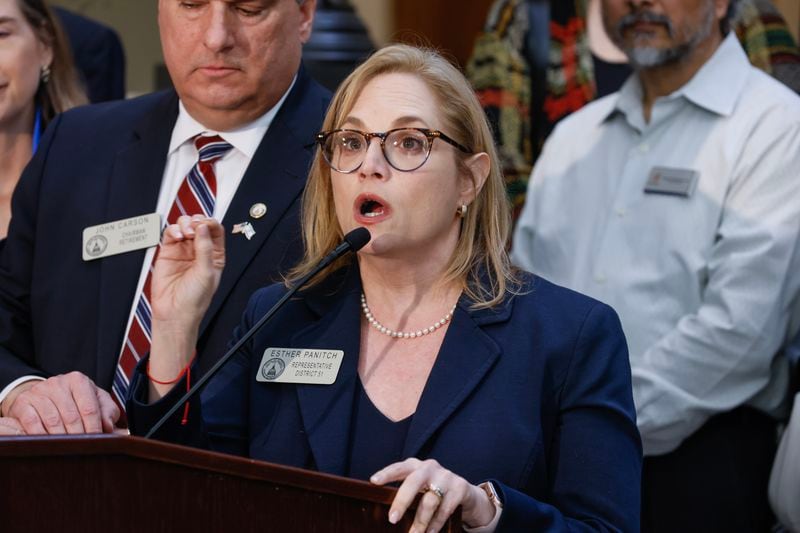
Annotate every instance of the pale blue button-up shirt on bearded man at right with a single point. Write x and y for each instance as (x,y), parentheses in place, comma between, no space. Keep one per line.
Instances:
(705,285)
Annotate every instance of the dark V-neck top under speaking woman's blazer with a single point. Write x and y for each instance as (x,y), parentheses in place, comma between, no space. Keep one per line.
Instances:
(376,441)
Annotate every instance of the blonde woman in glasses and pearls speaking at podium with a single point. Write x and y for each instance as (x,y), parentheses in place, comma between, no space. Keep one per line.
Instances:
(425,359)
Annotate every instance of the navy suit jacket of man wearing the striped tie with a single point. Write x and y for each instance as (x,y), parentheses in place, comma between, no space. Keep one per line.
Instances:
(105,162)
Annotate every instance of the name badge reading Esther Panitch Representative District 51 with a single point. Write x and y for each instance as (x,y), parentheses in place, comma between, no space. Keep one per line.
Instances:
(300,365)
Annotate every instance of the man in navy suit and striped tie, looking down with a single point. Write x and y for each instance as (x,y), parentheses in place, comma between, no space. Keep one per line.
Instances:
(64,321)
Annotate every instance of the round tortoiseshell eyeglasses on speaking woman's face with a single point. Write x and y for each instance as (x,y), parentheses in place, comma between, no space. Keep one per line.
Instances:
(405,149)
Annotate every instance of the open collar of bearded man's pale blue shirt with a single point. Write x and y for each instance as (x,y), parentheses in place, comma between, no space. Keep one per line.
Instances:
(715,87)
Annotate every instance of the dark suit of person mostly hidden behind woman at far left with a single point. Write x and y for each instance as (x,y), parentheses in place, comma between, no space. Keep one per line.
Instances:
(98,55)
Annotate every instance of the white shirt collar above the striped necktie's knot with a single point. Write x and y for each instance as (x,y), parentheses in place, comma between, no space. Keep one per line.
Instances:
(244,139)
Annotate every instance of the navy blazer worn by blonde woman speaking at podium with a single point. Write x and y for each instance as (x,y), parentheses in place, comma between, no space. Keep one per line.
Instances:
(535,394)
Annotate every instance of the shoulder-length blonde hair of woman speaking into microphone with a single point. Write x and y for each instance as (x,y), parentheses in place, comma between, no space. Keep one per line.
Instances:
(480,262)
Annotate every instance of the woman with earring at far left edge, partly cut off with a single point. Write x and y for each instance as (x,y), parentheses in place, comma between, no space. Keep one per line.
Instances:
(37,81)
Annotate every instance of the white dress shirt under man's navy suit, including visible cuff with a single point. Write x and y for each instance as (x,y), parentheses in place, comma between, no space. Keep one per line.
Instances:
(181,157)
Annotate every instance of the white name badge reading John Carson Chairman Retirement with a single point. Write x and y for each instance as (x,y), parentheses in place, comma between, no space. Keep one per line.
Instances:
(121,236)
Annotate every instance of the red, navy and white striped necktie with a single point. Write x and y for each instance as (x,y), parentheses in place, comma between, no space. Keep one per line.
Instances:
(196,195)
